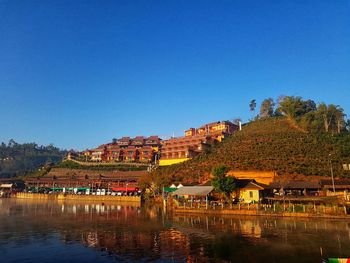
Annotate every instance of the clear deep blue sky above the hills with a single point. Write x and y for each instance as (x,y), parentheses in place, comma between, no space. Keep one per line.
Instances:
(79,73)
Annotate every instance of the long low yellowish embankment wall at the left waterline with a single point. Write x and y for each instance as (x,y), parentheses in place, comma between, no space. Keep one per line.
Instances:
(102,198)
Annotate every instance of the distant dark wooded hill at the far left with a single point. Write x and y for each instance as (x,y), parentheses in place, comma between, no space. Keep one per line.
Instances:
(20,159)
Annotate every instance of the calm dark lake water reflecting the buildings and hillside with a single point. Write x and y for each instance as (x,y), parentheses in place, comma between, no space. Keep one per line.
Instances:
(41,231)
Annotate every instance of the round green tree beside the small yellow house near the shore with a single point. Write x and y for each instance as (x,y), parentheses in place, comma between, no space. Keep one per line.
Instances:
(223,183)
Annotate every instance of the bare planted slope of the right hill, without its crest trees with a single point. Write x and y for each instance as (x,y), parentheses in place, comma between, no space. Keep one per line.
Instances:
(273,144)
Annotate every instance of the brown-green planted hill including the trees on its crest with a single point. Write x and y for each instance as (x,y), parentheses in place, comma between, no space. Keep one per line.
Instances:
(294,136)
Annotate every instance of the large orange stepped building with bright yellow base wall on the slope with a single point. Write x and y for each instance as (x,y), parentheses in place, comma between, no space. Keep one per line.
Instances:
(180,149)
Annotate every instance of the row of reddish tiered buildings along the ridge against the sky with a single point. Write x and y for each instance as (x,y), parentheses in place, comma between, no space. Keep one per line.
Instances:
(155,150)
